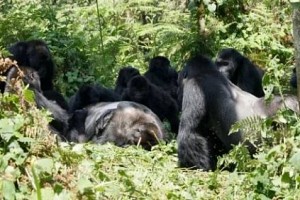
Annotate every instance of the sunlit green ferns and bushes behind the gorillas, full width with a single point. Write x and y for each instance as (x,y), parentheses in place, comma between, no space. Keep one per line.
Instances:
(89,47)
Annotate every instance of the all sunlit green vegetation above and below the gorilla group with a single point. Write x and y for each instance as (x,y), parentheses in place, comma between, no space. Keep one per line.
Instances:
(90,41)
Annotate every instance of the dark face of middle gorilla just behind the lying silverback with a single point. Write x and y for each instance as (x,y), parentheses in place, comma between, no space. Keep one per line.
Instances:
(138,88)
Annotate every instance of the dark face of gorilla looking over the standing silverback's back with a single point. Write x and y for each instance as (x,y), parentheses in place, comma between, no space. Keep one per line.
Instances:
(227,61)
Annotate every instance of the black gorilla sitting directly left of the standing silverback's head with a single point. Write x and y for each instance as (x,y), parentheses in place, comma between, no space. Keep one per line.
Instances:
(161,74)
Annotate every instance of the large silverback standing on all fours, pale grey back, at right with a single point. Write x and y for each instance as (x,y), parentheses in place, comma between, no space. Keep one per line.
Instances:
(211,105)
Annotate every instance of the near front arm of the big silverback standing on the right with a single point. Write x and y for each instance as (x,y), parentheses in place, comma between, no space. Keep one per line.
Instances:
(192,146)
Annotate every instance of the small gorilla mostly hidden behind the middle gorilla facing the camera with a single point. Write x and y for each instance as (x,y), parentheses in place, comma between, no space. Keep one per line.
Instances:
(125,74)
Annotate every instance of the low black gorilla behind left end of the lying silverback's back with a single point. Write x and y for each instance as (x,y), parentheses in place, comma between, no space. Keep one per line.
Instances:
(91,94)
